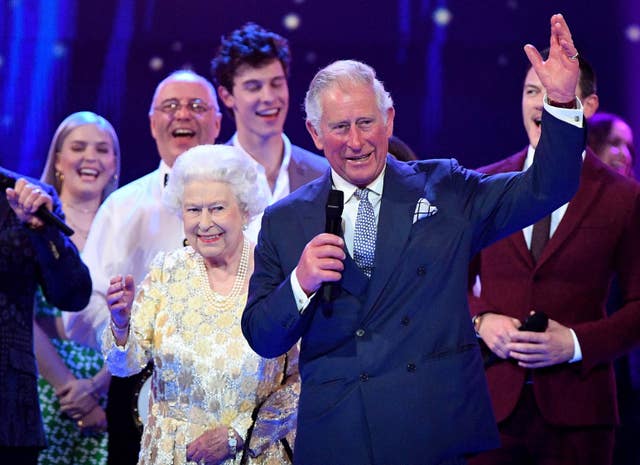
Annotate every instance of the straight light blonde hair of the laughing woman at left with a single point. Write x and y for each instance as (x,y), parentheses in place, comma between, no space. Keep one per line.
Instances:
(71,122)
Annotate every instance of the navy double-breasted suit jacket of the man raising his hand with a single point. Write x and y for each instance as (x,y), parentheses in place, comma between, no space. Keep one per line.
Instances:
(394,375)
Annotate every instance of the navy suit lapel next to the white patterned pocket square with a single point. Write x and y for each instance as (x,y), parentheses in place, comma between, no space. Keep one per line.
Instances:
(402,189)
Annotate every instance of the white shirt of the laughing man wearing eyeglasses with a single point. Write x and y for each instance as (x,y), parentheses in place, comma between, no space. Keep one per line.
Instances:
(131,227)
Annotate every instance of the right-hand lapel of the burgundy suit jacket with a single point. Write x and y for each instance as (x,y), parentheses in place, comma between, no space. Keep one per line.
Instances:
(579,206)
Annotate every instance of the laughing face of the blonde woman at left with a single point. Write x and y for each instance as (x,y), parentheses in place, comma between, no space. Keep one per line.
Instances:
(86,161)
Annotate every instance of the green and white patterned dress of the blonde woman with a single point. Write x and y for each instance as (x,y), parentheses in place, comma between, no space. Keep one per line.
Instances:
(66,444)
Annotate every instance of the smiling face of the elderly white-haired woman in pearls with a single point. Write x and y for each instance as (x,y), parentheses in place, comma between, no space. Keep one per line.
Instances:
(213,220)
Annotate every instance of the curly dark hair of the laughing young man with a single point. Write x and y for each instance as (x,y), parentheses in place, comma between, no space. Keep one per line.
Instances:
(252,45)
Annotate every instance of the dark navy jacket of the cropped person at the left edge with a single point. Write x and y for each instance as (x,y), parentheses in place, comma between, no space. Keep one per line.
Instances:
(29,259)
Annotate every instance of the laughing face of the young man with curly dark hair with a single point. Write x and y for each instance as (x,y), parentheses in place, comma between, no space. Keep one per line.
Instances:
(259,100)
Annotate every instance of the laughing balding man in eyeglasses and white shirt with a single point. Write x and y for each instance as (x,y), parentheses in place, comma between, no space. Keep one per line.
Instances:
(132,226)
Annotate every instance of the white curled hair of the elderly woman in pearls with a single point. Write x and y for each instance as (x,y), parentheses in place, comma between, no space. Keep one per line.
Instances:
(219,163)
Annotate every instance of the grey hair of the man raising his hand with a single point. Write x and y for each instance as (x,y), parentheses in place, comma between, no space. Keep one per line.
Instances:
(341,73)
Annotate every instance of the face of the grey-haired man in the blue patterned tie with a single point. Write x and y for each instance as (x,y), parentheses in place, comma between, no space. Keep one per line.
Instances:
(352,132)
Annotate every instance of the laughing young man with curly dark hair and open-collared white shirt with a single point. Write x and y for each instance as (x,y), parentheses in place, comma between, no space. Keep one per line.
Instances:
(250,71)
